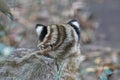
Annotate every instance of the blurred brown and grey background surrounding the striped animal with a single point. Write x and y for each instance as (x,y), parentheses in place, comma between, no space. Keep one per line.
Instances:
(99,20)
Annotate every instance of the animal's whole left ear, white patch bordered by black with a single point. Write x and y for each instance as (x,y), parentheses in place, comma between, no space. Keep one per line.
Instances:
(41,31)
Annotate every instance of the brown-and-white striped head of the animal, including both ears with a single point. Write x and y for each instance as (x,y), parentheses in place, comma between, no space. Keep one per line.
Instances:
(59,40)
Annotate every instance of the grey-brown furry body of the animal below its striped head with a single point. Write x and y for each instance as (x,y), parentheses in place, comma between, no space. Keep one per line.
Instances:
(22,66)
